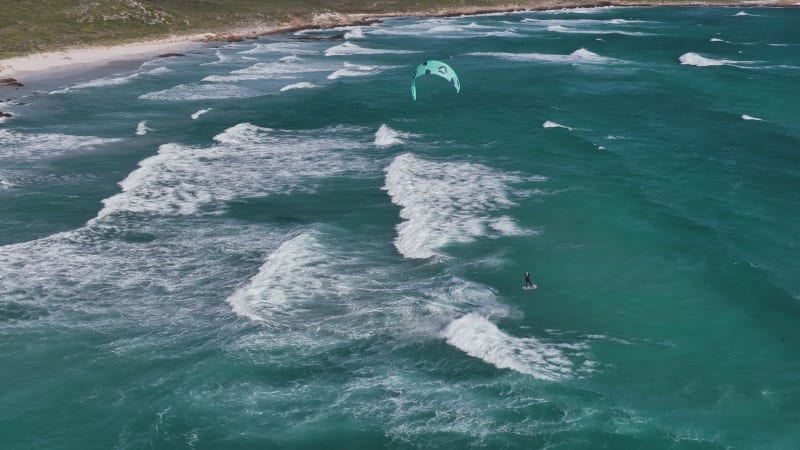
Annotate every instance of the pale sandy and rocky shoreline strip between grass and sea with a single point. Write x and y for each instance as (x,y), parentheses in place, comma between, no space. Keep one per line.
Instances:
(16,71)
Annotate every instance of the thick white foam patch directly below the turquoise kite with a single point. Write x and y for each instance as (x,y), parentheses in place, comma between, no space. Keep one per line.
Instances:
(447,202)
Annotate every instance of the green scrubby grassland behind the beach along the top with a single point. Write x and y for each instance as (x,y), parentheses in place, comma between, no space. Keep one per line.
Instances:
(30,26)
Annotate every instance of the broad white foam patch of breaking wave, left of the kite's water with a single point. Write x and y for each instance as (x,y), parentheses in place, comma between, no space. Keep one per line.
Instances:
(247,161)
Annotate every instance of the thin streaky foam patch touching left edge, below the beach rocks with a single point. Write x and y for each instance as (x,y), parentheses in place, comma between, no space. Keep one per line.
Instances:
(28,147)
